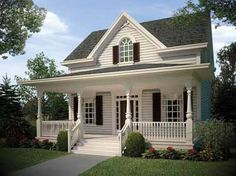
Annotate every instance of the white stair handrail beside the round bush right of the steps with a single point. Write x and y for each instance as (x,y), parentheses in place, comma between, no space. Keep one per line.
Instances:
(123,134)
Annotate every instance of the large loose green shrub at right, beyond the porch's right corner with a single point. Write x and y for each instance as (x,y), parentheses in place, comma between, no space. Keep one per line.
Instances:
(216,135)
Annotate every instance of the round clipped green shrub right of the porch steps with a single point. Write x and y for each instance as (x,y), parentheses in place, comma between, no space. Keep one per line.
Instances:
(135,145)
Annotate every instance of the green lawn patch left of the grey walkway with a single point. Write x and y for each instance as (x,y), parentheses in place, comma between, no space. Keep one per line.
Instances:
(12,159)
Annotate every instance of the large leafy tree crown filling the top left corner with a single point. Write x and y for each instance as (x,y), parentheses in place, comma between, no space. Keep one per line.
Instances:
(18,20)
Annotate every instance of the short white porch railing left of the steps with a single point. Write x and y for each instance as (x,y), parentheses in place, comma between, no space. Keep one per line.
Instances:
(53,127)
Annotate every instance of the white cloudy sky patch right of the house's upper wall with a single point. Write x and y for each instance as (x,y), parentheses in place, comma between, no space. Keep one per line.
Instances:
(222,36)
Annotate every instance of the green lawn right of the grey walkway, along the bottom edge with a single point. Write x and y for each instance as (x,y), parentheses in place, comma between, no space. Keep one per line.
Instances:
(138,166)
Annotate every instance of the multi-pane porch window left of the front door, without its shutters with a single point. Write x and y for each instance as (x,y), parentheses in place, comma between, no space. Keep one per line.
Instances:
(89,111)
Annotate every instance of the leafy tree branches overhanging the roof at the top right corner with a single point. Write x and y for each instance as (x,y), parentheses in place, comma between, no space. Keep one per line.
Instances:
(220,10)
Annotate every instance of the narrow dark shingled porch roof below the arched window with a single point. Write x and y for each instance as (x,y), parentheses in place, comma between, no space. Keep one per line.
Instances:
(123,68)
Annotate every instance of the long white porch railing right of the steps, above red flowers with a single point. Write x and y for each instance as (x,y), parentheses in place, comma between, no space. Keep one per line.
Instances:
(162,131)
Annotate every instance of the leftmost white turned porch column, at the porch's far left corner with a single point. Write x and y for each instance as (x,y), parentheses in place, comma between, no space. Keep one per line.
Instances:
(39,115)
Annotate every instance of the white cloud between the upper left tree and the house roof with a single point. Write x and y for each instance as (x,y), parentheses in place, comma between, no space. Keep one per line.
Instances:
(55,39)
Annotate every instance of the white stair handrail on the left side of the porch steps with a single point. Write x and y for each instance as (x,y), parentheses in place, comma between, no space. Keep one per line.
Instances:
(73,135)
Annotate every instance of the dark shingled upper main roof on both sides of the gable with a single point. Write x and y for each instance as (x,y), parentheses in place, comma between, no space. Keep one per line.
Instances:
(169,35)
